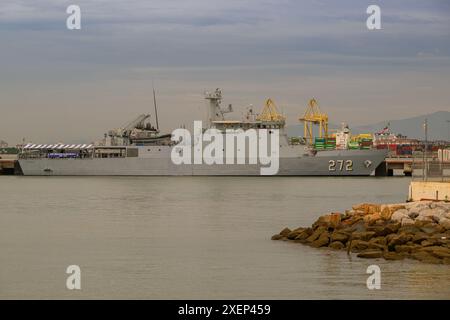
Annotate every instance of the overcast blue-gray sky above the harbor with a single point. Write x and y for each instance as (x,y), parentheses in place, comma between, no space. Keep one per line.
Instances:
(73,85)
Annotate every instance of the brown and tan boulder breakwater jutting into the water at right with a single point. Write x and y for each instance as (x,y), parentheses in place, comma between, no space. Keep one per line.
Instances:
(415,230)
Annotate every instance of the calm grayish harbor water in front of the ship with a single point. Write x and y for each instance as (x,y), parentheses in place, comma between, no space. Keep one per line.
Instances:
(185,237)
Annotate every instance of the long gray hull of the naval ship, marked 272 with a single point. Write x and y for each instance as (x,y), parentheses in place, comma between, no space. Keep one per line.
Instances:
(158,163)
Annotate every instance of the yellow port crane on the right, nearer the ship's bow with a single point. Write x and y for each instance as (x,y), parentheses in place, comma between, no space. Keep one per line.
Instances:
(313,116)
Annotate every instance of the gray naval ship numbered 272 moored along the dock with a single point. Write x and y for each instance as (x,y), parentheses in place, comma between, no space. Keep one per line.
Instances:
(139,149)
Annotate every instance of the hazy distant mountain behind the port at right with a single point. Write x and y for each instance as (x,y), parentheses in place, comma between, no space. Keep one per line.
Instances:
(438,127)
